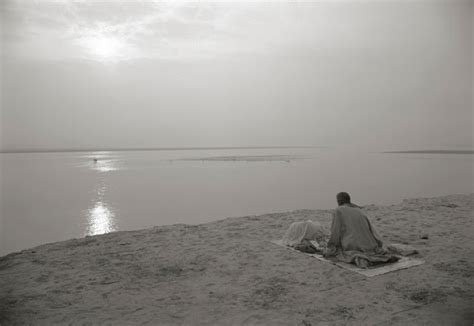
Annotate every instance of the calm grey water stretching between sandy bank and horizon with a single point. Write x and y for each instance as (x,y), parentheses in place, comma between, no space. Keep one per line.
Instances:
(47,197)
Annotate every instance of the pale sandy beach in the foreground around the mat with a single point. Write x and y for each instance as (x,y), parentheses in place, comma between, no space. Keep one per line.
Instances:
(228,273)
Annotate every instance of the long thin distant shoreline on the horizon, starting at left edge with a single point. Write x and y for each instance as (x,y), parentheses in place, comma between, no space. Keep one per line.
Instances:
(148,149)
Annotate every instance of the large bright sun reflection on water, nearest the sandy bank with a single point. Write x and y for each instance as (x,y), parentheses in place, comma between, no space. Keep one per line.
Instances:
(100,217)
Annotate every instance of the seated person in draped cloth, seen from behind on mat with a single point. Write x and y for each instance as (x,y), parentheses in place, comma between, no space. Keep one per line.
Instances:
(353,239)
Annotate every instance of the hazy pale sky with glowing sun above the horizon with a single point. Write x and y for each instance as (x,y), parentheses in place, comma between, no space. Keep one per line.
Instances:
(97,74)
